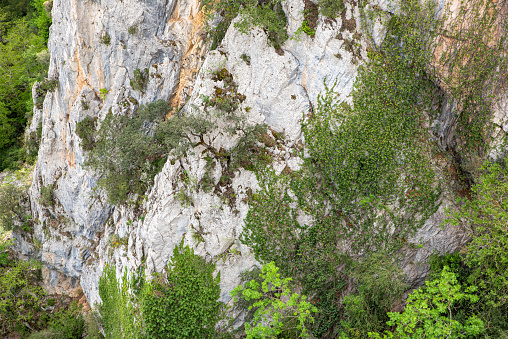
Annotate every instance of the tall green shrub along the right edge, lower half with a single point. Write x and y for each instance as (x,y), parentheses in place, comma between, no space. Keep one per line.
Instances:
(484,262)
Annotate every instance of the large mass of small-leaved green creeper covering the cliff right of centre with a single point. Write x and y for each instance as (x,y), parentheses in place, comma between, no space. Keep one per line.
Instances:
(366,181)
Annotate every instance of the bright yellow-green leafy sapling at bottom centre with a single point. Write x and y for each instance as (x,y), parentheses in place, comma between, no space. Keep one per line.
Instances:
(279,311)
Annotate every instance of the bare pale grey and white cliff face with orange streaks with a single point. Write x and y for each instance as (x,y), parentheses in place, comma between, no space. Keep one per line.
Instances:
(166,37)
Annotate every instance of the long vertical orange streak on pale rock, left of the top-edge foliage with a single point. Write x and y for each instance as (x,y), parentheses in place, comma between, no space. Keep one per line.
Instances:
(191,50)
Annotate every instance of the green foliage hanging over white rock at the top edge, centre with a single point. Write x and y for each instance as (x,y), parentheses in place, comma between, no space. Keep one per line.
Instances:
(268,16)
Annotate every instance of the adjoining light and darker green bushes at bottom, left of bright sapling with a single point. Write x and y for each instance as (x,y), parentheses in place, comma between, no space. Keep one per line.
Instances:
(181,302)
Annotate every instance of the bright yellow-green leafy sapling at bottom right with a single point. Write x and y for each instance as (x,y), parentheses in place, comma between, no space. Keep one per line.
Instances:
(428,312)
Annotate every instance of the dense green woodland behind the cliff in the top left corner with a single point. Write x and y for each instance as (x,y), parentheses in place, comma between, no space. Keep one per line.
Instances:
(24,59)
